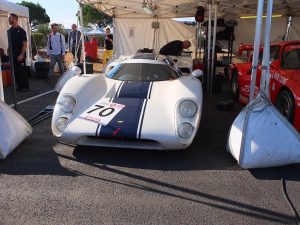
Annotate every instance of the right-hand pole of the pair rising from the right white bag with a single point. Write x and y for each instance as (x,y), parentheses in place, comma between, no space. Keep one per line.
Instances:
(265,76)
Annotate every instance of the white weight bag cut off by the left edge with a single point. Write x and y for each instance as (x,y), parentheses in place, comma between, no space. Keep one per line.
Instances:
(13,130)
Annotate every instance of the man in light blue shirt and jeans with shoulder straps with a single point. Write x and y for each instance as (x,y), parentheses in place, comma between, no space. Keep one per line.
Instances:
(55,50)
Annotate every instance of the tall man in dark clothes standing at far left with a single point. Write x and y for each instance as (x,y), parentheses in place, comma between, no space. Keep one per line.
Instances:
(18,45)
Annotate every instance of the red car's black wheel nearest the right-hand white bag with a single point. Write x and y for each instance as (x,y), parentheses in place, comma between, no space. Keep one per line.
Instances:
(285,104)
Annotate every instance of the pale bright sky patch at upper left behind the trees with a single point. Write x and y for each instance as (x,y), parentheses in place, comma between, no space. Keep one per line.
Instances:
(59,11)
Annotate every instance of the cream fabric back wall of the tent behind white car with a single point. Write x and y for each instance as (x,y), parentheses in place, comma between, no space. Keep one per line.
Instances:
(132,34)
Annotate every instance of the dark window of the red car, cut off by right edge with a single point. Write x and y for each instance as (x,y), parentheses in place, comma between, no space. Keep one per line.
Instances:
(291,58)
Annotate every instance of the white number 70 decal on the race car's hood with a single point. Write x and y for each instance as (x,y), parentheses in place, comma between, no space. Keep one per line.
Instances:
(102,112)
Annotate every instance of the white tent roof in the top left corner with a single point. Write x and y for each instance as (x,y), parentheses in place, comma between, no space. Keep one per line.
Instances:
(9,7)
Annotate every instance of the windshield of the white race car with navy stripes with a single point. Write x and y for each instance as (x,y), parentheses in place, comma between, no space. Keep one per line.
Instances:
(142,72)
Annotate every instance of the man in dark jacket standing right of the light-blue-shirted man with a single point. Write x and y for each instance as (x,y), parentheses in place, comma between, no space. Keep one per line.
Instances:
(74,43)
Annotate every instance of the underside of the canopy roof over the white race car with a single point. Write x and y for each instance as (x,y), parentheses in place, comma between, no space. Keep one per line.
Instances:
(185,8)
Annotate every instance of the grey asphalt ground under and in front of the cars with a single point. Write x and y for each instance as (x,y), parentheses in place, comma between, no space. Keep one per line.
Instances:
(45,182)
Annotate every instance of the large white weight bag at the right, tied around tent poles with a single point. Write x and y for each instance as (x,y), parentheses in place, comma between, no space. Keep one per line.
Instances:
(261,137)
